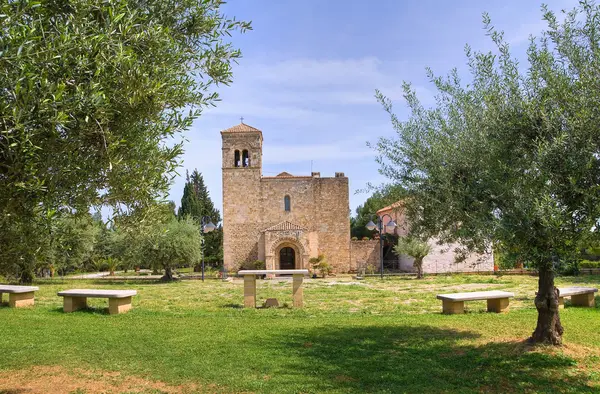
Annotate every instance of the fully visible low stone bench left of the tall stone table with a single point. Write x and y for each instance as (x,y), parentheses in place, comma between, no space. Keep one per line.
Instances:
(119,301)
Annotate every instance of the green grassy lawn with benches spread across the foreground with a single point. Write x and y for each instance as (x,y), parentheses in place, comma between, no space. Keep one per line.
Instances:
(369,336)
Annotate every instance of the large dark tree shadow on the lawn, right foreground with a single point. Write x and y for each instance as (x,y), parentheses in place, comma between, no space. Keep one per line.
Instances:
(421,359)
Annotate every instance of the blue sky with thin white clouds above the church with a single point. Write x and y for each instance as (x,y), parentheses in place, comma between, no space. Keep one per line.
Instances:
(310,69)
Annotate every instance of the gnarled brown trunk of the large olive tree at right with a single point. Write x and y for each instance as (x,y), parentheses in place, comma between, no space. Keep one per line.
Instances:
(548,330)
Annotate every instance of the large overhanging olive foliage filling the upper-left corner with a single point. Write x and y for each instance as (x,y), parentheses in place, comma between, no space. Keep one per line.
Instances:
(93,99)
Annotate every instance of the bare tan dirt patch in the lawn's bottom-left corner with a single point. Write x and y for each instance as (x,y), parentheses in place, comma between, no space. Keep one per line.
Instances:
(56,379)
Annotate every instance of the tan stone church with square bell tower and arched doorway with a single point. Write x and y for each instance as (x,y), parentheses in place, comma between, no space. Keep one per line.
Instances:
(283,220)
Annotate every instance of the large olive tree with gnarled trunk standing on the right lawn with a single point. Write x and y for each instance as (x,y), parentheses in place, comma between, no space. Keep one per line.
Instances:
(512,156)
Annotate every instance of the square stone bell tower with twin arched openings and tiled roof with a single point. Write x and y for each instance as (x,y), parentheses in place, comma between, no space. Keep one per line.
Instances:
(242,171)
